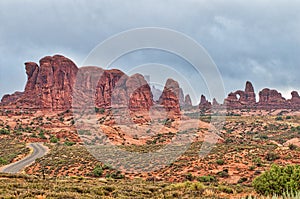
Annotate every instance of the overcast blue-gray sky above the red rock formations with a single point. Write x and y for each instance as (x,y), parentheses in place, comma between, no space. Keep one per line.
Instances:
(257,41)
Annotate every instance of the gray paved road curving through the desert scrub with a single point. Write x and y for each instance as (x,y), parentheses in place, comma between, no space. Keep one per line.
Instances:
(39,150)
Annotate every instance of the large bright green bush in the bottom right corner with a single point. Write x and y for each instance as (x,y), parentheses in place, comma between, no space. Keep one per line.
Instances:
(278,180)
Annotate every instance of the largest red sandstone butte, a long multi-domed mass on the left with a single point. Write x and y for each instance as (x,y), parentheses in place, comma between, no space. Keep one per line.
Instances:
(50,86)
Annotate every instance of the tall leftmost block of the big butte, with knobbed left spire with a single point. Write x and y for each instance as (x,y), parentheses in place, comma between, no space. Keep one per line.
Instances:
(49,86)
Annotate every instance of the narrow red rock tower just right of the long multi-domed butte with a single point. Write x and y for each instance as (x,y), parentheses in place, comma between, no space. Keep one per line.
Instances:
(170,98)
